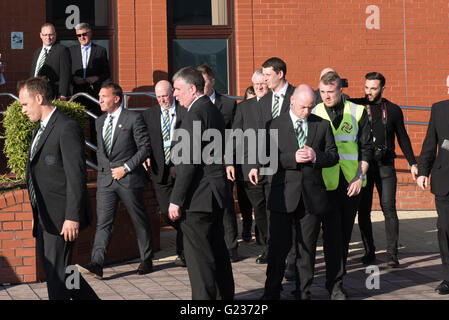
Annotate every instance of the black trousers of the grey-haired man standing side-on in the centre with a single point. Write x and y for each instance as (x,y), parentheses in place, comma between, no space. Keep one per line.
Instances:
(207,258)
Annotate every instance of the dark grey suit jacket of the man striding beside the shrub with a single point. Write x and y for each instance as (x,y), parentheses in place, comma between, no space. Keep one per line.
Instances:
(130,145)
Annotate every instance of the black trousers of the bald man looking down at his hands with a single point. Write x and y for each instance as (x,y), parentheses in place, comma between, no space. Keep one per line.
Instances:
(304,228)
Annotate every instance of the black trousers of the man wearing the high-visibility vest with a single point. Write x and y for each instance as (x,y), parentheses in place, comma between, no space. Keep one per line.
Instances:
(337,231)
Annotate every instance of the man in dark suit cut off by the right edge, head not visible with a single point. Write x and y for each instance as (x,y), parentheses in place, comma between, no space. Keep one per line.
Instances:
(434,160)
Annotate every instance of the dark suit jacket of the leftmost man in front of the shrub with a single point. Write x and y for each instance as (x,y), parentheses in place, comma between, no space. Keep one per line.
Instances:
(58,172)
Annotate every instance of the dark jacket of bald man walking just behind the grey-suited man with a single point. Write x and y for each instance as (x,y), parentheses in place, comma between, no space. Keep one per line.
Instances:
(152,118)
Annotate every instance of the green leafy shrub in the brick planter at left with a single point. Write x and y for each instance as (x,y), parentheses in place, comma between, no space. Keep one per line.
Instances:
(19,129)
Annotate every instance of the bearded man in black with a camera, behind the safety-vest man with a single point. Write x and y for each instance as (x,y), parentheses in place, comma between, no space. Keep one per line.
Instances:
(387,122)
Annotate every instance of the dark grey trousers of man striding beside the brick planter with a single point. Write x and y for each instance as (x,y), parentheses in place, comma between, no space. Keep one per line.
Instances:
(107,202)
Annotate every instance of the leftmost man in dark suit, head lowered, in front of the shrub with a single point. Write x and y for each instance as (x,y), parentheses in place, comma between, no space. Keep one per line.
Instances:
(56,180)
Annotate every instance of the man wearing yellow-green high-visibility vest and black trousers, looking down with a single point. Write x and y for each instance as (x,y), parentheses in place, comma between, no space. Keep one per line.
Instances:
(344,181)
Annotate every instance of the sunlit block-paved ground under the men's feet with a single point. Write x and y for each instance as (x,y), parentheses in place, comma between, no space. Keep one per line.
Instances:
(419,274)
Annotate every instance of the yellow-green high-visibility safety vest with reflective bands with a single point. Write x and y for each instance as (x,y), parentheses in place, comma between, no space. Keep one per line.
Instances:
(346,140)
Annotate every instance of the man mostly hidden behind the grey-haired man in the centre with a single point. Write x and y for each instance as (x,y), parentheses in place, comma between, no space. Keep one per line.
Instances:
(227,107)
